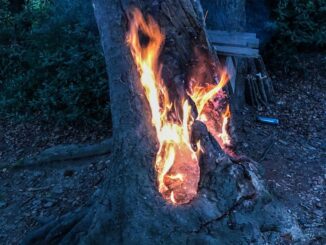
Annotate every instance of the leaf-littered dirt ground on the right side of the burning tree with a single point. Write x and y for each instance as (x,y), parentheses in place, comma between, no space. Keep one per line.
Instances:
(293,153)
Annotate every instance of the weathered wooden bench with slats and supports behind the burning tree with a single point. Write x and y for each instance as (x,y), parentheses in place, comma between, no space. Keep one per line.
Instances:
(243,45)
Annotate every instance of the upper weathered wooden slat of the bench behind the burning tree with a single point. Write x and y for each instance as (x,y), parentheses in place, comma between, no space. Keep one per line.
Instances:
(241,39)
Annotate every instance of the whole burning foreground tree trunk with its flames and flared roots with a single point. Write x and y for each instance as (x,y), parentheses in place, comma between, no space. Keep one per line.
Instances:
(148,197)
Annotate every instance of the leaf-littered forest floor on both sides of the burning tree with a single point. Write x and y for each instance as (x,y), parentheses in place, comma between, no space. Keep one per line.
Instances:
(292,155)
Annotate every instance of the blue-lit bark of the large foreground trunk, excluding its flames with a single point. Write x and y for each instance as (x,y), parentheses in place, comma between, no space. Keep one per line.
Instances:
(232,206)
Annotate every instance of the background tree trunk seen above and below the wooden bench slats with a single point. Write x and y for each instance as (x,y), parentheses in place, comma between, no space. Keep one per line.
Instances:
(231,15)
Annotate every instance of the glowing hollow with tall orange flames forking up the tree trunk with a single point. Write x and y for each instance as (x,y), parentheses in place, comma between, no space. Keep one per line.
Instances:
(176,161)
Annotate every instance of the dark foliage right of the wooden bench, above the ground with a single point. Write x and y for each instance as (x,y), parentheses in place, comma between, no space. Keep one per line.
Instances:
(301,28)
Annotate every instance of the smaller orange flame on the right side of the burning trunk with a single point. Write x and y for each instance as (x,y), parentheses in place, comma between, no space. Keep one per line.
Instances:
(202,90)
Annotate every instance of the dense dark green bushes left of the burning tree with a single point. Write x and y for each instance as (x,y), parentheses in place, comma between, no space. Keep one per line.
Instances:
(51,62)
